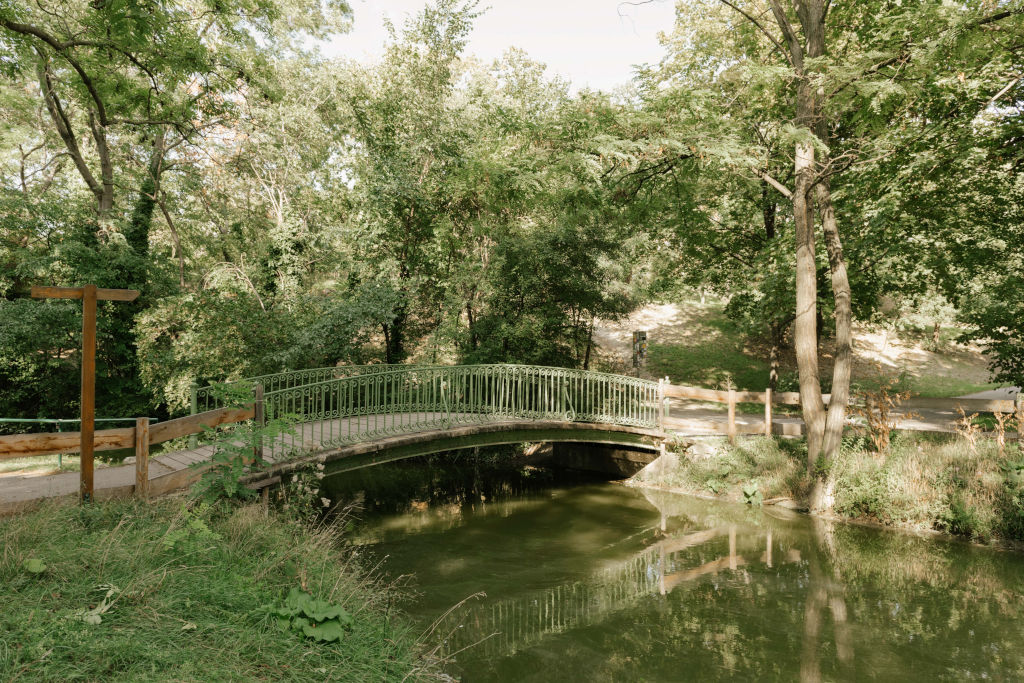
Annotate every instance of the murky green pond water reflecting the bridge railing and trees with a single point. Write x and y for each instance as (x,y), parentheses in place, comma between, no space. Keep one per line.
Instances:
(585,581)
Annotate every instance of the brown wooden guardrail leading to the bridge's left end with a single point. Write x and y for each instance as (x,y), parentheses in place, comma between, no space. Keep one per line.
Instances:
(142,437)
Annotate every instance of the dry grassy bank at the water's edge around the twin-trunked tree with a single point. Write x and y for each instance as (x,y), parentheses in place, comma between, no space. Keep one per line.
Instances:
(927,482)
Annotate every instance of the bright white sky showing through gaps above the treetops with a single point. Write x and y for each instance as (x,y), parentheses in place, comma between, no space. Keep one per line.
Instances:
(593,44)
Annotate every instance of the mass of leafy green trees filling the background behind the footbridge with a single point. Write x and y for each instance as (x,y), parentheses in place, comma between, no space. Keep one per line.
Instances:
(282,210)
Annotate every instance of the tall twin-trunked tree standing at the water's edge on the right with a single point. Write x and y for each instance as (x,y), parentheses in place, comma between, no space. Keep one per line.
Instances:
(827,82)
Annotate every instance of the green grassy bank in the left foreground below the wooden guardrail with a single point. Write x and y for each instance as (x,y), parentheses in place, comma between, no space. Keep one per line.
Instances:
(121,591)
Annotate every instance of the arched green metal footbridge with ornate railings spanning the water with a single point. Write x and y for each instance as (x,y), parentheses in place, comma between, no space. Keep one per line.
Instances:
(371,414)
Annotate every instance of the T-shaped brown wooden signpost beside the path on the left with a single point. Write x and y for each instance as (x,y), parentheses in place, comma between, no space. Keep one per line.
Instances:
(90,294)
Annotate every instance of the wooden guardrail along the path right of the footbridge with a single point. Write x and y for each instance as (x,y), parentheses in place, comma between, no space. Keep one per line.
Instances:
(733,397)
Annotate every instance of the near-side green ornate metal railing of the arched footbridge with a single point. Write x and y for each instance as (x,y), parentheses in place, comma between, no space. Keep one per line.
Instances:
(409,399)
